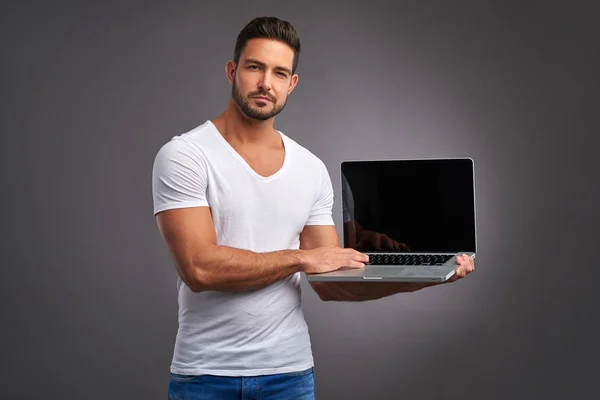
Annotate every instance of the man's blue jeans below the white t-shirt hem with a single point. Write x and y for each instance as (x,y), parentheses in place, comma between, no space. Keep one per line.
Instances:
(294,385)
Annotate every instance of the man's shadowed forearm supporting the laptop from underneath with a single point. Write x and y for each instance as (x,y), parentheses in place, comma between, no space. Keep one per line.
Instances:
(363,291)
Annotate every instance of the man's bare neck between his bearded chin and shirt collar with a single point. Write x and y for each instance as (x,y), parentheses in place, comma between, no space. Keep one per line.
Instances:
(237,128)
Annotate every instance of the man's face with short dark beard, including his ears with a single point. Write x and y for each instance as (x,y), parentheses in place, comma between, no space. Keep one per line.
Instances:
(262,79)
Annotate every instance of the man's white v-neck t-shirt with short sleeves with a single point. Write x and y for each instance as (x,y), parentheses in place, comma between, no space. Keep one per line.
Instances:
(253,332)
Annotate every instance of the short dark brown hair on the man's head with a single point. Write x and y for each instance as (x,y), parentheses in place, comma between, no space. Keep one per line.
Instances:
(268,28)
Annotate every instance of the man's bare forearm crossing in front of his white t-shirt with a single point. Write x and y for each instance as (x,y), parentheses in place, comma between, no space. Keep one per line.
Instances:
(230,269)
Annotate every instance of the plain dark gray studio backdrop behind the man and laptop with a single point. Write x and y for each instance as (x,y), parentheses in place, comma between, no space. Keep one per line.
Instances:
(90,91)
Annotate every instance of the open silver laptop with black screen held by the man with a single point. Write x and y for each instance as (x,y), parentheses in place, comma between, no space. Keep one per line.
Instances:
(411,217)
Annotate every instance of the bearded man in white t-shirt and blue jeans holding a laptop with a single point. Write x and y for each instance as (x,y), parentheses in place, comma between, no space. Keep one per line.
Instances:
(244,210)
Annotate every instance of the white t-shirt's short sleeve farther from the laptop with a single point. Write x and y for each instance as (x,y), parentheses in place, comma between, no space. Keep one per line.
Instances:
(179,177)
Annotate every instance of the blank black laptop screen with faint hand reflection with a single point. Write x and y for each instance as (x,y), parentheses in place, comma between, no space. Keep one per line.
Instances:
(409,205)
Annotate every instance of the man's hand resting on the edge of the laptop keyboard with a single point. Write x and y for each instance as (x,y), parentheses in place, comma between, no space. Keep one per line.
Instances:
(331,258)
